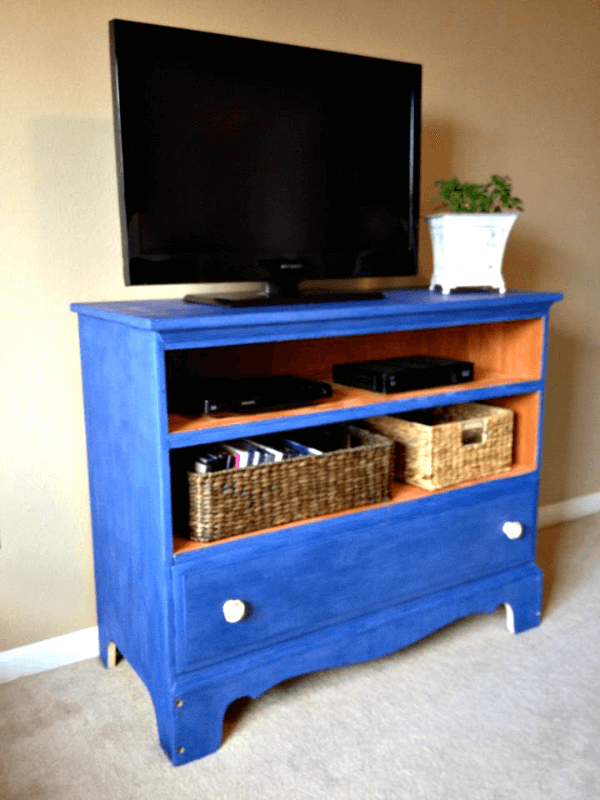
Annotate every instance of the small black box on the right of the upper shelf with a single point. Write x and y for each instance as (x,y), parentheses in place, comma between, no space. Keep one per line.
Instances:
(403,374)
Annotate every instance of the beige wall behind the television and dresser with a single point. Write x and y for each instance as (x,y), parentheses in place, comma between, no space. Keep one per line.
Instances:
(510,86)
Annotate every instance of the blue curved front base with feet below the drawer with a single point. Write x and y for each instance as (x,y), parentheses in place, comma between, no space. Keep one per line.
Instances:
(206,695)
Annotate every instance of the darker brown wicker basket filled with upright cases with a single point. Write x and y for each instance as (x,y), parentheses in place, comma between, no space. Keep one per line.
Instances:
(231,502)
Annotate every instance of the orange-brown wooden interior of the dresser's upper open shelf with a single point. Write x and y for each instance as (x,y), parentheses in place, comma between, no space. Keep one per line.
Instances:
(503,352)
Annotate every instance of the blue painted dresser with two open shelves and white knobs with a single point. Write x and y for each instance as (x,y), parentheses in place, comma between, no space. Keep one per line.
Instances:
(315,594)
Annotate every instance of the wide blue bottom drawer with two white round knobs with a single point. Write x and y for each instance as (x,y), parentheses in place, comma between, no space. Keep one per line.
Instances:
(297,580)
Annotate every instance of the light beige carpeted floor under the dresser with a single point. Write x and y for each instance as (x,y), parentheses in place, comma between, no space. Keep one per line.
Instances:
(471,713)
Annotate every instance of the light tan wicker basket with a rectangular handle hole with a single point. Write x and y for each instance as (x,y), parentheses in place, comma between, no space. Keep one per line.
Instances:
(442,446)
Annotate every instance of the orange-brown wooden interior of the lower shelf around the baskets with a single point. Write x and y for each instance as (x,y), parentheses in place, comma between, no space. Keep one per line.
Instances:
(526,409)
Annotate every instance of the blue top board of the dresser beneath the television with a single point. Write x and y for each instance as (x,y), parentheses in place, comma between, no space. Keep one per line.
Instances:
(183,325)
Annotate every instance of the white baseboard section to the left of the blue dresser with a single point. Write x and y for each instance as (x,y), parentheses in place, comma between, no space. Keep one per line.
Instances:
(49,654)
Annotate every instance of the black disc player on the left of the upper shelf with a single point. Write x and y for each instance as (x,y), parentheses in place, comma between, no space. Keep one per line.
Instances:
(247,394)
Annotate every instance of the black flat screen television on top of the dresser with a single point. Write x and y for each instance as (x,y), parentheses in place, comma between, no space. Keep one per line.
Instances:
(241,160)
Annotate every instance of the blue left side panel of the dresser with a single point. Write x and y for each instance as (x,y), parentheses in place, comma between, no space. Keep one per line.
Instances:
(125,412)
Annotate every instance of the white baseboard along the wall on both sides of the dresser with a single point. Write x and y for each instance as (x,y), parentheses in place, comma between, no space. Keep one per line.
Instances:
(78,646)
